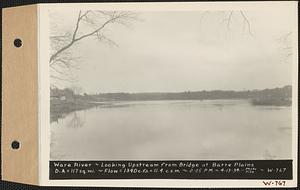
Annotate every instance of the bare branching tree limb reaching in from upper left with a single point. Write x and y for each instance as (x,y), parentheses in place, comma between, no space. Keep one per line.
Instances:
(91,23)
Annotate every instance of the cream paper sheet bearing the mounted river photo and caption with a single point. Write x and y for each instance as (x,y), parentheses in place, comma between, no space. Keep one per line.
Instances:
(168,94)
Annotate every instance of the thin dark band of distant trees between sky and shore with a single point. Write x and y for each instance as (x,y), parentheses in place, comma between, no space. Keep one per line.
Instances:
(284,93)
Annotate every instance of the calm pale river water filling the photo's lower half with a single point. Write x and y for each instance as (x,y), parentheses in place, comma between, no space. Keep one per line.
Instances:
(158,130)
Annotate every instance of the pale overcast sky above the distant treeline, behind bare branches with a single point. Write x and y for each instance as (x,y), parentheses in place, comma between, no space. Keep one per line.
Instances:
(180,51)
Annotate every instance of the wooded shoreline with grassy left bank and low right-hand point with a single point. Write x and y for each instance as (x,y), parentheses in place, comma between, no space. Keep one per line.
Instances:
(63,101)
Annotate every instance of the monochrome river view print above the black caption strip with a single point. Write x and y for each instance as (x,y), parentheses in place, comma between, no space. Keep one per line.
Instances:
(171,85)
